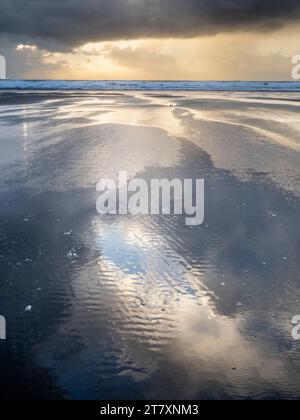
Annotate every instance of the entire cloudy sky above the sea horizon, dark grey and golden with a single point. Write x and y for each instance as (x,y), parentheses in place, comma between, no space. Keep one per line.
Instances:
(150,39)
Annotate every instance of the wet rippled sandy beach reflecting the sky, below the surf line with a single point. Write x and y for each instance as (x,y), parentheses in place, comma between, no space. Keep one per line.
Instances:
(146,307)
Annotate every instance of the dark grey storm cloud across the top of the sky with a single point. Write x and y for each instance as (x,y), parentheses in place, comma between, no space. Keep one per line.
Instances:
(74,22)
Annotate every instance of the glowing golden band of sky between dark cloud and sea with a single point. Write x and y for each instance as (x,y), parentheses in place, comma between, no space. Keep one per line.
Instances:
(239,56)
